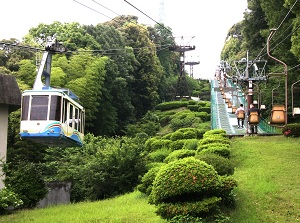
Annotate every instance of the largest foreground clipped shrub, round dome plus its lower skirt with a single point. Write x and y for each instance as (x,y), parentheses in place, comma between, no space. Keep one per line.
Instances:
(188,186)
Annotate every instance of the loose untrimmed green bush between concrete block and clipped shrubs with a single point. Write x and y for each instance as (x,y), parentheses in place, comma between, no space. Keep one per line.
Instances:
(102,168)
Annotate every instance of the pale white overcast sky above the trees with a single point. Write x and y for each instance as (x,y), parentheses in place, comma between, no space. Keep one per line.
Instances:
(200,23)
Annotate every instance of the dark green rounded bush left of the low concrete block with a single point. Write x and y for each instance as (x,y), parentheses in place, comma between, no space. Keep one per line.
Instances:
(26,180)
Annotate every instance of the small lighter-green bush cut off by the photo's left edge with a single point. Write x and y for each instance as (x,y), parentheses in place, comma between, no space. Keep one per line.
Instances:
(8,200)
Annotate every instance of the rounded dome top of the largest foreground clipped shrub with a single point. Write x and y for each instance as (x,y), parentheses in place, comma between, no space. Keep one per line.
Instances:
(183,180)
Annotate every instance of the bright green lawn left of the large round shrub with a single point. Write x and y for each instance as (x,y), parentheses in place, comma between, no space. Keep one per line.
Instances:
(129,208)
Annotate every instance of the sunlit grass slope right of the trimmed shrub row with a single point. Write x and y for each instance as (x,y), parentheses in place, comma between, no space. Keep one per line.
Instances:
(268,175)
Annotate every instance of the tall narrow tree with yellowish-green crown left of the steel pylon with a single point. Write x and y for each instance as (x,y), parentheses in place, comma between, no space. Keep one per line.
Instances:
(148,72)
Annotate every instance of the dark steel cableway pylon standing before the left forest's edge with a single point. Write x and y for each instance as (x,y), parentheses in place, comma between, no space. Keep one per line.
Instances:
(182,89)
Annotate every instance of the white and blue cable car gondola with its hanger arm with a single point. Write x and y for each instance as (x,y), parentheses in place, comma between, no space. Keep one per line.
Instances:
(51,116)
